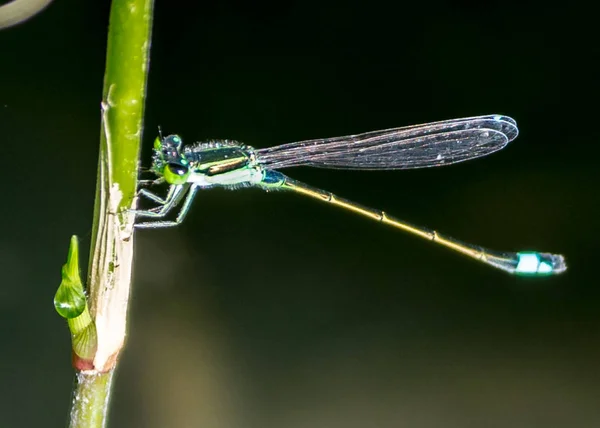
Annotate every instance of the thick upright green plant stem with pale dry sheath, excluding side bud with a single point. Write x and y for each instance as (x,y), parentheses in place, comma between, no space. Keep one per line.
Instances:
(111,254)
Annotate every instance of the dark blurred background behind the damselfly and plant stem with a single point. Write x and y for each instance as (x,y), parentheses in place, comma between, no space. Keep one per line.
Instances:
(273,310)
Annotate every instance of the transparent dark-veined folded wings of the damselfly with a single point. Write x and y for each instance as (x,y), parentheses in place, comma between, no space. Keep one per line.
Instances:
(418,146)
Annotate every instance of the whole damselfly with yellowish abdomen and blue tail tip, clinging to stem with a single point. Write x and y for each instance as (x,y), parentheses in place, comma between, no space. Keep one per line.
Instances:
(230,164)
